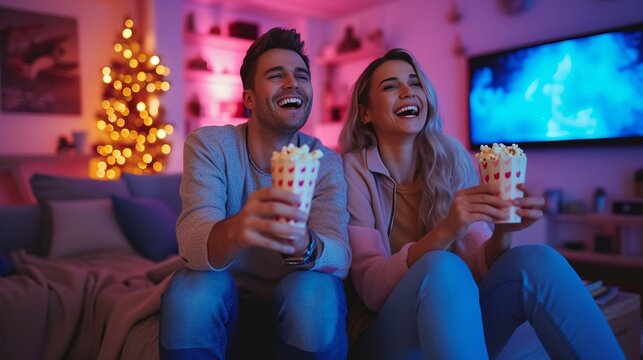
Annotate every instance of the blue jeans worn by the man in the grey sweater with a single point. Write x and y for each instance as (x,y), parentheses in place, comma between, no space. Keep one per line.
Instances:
(202,317)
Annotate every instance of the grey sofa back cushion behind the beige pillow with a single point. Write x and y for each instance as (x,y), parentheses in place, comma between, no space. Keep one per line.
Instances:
(47,188)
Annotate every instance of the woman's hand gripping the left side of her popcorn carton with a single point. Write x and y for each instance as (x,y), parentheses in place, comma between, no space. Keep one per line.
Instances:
(478,203)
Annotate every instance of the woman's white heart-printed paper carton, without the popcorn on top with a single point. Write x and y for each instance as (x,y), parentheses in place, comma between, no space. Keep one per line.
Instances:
(505,173)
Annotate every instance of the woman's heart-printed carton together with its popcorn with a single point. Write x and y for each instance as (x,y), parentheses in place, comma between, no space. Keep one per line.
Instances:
(504,167)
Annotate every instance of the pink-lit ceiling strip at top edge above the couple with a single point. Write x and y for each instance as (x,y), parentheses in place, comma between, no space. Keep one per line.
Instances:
(316,8)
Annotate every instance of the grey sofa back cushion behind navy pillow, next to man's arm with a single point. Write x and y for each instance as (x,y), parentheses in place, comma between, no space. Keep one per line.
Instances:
(164,187)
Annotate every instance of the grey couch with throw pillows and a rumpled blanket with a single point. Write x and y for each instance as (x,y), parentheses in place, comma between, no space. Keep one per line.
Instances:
(82,271)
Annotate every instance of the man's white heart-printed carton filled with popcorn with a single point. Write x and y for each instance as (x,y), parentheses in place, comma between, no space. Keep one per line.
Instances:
(295,169)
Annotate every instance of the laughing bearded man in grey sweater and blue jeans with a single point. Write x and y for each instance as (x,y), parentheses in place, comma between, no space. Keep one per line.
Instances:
(244,283)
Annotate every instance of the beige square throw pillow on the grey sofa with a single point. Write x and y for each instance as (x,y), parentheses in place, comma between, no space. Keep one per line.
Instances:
(82,226)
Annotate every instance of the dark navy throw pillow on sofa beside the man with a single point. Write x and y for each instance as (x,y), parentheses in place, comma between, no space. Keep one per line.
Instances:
(149,224)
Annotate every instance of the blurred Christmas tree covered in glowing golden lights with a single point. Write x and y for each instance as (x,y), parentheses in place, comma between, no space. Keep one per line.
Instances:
(131,117)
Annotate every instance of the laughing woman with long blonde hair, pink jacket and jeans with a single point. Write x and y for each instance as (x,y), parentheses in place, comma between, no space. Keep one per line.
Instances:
(444,285)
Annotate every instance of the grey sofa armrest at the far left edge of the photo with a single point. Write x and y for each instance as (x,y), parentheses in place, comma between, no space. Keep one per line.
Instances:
(20,228)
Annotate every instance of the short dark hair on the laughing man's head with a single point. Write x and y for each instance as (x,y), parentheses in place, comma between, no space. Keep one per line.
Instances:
(275,38)
